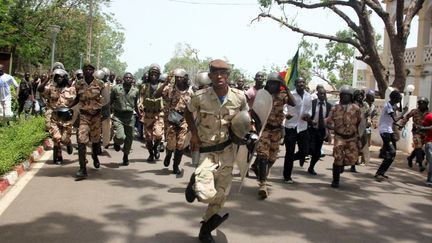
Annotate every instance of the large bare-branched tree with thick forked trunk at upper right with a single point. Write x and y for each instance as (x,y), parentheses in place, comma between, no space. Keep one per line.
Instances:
(364,37)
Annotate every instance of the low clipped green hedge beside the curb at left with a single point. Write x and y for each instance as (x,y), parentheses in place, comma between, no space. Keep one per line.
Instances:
(19,140)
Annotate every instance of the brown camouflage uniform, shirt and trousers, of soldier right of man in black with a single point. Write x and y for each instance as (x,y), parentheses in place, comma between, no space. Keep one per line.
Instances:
(346,149)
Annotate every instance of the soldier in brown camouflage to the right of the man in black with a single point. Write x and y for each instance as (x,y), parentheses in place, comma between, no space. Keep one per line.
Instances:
(344,119)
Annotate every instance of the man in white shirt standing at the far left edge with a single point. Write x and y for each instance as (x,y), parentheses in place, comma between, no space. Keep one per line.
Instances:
(6,81)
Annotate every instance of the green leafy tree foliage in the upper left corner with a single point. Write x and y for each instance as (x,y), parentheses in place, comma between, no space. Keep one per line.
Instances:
(25,30)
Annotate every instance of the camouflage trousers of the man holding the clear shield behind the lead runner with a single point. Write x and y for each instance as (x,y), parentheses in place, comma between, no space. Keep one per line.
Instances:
(268,144)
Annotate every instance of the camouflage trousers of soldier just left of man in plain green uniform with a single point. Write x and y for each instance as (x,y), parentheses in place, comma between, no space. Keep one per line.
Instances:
(89,128)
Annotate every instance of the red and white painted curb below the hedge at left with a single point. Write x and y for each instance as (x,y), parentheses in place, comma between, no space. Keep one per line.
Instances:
(12,177)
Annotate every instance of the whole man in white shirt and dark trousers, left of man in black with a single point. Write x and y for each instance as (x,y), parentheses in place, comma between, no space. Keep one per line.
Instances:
(296,127)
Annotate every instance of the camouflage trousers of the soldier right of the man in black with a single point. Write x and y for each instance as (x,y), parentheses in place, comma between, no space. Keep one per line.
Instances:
(345,151)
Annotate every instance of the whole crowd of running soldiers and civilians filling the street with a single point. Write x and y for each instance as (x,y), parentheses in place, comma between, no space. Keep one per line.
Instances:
(198,117)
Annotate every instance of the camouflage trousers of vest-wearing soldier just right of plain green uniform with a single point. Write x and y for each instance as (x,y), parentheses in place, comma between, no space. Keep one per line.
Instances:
(153,126)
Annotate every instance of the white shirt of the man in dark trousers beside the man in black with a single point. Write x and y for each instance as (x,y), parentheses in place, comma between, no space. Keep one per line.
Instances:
(303,106)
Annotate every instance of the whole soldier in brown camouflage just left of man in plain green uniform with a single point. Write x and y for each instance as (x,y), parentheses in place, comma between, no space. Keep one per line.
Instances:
(89,97)
